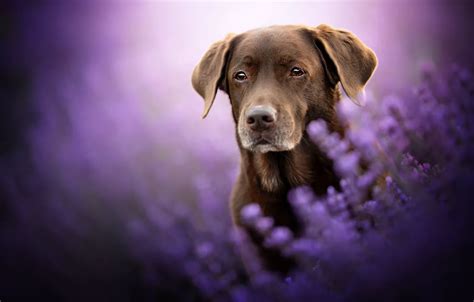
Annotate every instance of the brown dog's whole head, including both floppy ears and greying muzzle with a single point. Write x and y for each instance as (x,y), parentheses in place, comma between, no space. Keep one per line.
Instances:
(280,78)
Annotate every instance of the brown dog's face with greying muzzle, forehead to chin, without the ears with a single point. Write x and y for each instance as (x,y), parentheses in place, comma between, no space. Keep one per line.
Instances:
(273,76)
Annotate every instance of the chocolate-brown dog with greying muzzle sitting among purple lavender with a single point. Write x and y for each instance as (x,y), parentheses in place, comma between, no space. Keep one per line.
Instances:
(279,79)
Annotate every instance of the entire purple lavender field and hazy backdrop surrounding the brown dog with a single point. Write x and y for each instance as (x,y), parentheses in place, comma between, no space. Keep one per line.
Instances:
(113,189)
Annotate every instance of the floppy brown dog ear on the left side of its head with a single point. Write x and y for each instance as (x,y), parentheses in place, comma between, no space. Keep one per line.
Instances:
(209,73)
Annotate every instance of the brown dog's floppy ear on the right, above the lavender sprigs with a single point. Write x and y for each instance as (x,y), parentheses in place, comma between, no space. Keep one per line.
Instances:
(346,59)
